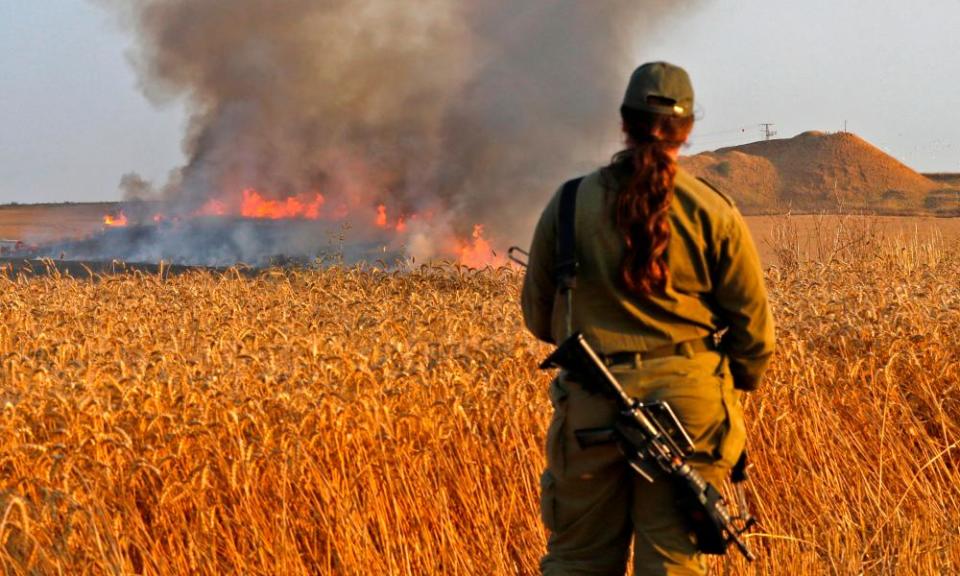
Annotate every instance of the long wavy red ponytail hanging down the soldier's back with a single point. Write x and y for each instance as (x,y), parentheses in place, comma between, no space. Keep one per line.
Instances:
(644,194)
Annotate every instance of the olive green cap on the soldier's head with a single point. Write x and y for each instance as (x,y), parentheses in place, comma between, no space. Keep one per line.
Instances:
(661,88)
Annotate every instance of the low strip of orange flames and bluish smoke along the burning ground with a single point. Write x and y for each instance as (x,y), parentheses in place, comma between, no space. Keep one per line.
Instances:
(260,232)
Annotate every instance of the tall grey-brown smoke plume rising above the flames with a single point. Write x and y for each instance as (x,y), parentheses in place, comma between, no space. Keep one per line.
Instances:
(473,110)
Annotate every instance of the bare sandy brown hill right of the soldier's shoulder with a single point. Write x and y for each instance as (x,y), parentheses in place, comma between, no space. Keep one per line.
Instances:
(819,171)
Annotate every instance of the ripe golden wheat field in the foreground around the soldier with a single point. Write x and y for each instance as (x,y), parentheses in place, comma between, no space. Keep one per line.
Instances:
(362,422)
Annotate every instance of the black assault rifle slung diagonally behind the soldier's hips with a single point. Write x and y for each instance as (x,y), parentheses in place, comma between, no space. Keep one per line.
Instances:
(652,439)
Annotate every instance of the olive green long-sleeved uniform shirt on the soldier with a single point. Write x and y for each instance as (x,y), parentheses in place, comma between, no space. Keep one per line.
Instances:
(716,281)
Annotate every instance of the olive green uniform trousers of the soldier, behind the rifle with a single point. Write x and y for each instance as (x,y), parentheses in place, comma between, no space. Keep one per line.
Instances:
(595,506)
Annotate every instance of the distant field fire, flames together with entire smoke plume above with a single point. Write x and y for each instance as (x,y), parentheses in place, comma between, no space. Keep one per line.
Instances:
(374,131)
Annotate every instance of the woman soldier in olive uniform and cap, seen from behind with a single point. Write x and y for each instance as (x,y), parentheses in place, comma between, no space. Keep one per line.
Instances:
(665,264)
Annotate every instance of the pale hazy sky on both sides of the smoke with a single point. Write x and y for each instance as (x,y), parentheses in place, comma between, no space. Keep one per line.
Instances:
(72,119)
